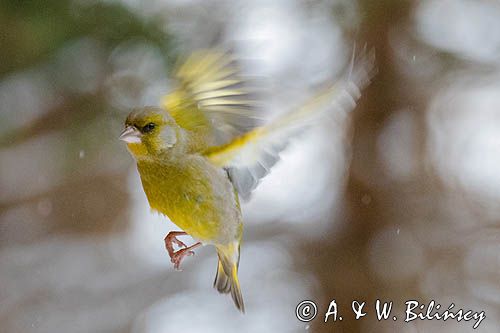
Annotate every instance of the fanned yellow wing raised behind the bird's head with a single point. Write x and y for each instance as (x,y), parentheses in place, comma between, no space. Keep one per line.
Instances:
(212,98)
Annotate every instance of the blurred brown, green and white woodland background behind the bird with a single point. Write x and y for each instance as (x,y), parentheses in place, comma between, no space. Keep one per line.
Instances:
(397,200)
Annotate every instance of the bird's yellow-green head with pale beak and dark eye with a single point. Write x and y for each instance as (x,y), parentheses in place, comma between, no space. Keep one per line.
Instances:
(150,132)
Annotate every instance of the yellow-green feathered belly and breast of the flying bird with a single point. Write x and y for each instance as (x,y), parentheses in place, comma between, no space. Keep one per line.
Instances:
(202,203)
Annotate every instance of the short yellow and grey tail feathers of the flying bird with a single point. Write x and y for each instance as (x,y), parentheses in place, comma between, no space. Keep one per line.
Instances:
(226,280)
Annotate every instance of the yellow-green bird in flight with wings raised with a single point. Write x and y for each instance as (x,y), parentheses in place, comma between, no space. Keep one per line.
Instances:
(205,146)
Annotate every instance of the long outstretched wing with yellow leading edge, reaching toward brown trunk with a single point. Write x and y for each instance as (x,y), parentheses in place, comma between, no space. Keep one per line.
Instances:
(251,156)
